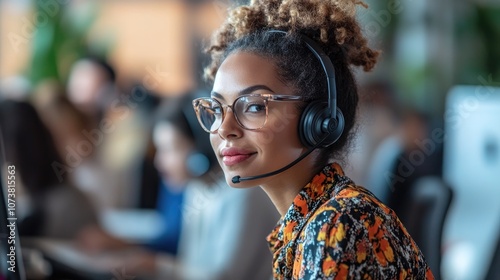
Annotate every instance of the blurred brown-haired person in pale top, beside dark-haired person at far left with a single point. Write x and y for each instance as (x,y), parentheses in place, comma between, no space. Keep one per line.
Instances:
(77,145)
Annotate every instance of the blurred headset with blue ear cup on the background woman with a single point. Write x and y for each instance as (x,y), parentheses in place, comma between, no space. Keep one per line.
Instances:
(201,159)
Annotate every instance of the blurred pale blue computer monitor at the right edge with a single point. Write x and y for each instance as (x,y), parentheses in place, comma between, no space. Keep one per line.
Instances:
(471,167)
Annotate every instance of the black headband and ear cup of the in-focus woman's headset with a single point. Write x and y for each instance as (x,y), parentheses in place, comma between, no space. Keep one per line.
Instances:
(321,123)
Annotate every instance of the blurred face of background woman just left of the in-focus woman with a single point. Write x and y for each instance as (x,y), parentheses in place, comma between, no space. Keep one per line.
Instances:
(172,150)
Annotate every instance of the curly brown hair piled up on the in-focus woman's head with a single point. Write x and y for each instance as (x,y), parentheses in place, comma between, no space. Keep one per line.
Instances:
(331,23)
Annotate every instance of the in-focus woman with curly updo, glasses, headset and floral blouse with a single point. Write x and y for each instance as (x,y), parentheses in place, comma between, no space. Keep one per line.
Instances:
(272,105)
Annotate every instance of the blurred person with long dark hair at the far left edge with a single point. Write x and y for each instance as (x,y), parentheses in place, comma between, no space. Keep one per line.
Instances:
(47,205)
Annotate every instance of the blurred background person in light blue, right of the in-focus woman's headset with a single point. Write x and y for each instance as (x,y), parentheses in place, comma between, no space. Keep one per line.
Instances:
(379,142)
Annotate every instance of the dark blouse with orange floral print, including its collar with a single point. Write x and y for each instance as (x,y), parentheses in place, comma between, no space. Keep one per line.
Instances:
(337,230)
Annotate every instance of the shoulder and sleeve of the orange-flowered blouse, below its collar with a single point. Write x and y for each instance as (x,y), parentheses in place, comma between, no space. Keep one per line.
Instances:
(354,229)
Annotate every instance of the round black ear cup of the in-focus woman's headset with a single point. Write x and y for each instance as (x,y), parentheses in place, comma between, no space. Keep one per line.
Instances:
(316,124)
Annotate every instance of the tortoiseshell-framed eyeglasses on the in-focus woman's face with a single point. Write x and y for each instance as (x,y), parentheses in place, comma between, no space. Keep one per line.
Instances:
(250,110)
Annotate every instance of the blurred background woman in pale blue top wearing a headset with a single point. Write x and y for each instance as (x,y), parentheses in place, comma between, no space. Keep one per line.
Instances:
(218,232)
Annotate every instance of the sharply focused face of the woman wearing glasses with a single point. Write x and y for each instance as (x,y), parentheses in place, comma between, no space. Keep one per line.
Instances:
(244,152)
